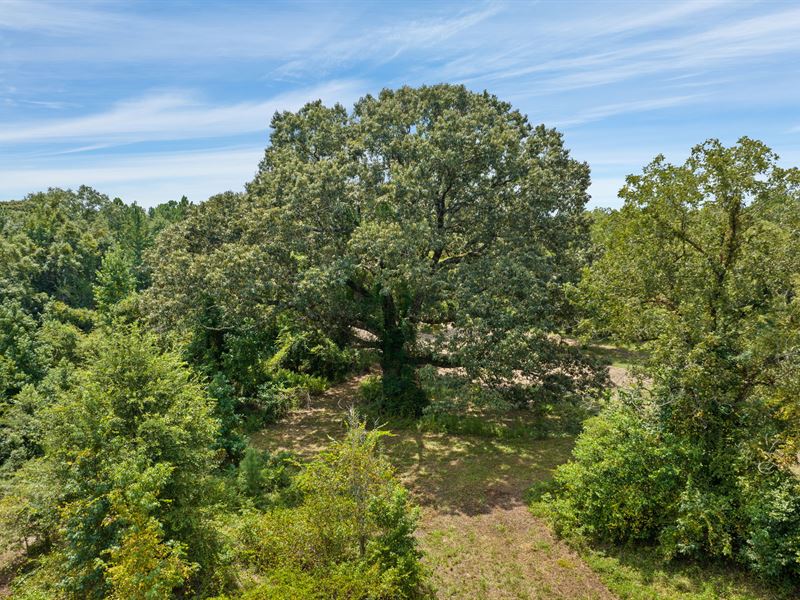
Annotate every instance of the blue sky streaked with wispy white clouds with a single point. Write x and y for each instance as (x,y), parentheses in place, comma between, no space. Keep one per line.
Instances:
(152,100)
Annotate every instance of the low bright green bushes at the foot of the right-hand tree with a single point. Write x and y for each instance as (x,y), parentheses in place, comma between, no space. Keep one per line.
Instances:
(629,483)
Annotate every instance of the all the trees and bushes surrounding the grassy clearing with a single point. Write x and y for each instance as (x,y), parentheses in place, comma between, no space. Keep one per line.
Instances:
(435,247)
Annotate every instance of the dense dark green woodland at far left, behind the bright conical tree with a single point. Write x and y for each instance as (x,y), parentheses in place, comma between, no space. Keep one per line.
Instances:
(61,253)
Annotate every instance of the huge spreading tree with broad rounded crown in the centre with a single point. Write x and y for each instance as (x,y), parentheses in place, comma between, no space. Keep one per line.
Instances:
(420,210)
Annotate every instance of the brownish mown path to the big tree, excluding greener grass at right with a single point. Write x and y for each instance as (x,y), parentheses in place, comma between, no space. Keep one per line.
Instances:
(480,539)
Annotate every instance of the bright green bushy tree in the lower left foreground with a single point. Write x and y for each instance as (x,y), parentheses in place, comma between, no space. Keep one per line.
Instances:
(129,449)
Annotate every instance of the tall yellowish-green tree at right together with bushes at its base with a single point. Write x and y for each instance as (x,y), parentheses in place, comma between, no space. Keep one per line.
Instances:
(682,265)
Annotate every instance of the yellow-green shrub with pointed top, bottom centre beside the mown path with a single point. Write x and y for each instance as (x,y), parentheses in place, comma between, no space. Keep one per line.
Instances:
(350,537)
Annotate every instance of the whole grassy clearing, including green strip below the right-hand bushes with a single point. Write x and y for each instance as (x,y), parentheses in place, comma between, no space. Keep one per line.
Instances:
(481,541)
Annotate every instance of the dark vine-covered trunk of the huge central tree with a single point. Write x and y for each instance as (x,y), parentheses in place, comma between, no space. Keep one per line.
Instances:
(402,394)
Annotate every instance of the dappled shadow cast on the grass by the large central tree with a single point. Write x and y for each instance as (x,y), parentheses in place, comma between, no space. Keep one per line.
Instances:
(453,473)
